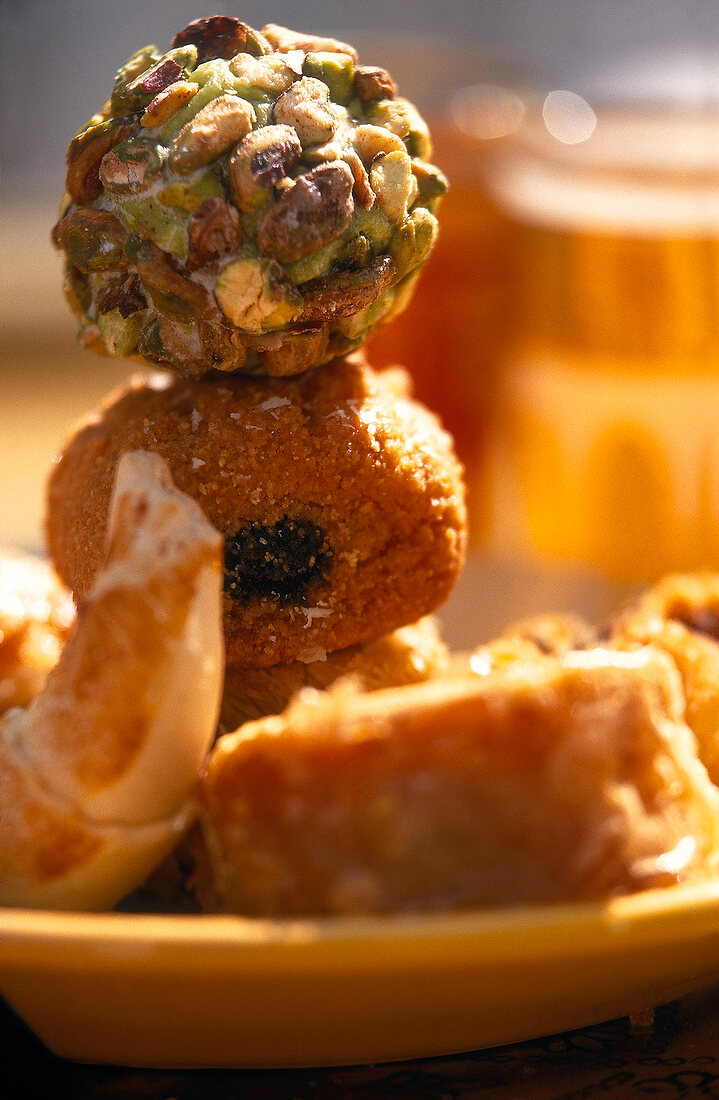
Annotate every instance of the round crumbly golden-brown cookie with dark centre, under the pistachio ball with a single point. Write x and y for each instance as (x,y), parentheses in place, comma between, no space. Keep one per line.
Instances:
(340,498)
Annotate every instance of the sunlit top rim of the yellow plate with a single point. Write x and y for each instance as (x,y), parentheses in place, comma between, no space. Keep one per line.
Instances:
(654,910)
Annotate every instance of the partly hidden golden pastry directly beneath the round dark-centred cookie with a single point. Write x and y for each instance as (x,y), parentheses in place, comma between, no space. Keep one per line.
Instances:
(407,656)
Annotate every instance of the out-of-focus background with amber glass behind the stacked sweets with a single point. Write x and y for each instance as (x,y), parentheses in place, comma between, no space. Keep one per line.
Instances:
(567,326)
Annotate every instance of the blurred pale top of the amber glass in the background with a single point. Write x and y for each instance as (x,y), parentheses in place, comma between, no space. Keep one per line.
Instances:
(635,147)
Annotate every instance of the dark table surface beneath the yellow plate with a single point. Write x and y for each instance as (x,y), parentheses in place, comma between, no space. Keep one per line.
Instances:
(674,1054)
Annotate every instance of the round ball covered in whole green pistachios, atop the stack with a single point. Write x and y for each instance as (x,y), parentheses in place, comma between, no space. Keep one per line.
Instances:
(252,202)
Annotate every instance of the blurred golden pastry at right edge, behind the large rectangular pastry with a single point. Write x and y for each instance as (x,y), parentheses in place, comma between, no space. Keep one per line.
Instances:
(681,615)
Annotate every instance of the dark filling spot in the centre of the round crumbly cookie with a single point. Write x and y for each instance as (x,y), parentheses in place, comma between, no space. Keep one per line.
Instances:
(282,562)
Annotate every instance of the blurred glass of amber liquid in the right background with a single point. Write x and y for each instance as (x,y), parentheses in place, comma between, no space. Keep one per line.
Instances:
(609,408)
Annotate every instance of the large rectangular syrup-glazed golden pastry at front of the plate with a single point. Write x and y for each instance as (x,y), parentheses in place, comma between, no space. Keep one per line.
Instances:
(569,778)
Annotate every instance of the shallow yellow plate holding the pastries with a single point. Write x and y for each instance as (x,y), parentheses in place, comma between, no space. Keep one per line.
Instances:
(220,992)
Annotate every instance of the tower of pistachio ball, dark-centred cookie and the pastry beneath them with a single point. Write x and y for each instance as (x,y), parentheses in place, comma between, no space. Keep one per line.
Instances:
(244,212)
